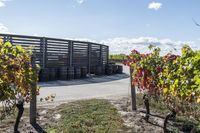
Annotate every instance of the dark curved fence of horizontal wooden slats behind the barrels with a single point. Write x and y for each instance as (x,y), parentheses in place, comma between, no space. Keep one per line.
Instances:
(56,53)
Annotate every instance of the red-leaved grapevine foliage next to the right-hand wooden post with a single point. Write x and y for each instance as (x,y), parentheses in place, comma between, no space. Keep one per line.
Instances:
(146,69)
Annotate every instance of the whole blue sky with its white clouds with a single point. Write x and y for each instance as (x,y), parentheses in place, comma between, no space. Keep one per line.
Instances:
(121,24)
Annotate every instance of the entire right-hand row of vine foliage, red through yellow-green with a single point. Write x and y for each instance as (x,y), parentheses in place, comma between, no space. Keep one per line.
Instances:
(173,79)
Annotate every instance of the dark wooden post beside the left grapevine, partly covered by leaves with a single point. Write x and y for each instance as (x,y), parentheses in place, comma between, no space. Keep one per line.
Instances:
(33,101)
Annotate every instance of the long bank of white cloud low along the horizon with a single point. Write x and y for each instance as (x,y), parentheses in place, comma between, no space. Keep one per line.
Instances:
(126,45)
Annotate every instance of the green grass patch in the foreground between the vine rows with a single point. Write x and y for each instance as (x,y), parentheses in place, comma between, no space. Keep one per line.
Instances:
(87,116)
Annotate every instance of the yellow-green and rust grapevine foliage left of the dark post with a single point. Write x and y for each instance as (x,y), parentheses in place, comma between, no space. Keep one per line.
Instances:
(17,76)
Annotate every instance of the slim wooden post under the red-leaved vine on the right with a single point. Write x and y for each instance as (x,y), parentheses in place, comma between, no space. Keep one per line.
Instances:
(133,93)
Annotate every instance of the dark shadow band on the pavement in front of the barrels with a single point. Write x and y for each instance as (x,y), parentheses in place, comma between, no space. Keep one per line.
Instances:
(91,80)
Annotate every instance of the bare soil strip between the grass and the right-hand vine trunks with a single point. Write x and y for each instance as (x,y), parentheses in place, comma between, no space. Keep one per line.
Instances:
(134,120)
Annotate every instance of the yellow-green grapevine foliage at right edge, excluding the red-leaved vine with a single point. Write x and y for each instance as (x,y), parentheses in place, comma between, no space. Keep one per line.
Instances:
(180,82)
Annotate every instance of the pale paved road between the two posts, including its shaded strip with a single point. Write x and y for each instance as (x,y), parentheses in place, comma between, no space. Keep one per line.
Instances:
(96,87)
